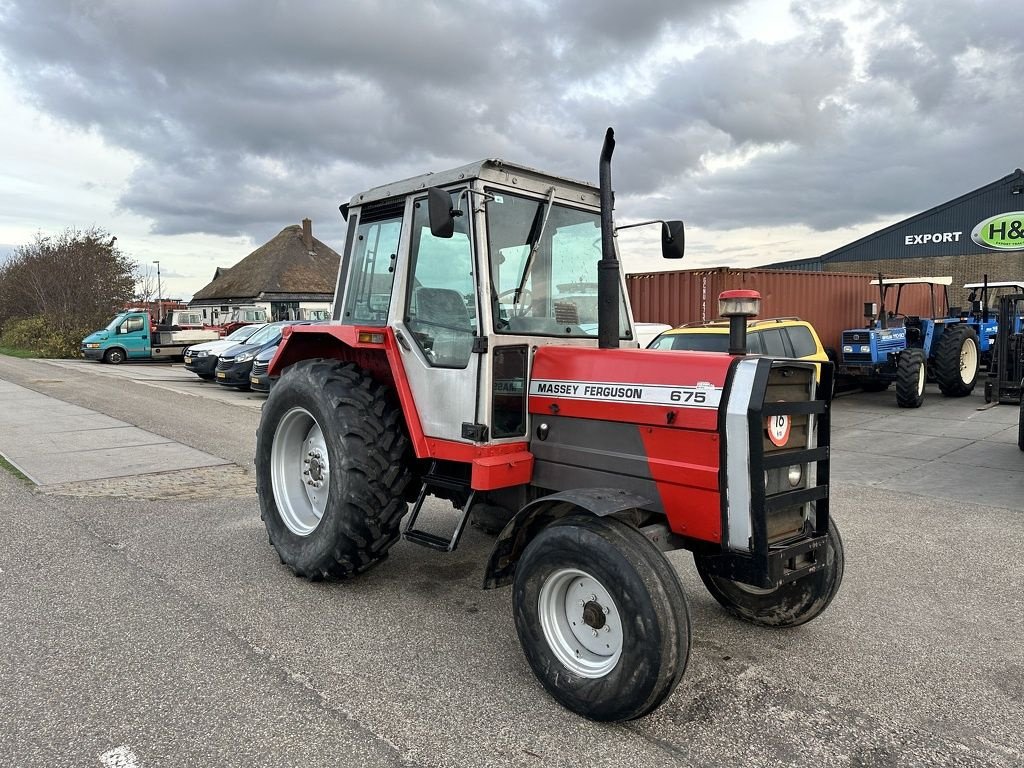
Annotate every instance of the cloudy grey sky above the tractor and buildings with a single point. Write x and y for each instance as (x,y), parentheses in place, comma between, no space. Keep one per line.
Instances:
(196,131)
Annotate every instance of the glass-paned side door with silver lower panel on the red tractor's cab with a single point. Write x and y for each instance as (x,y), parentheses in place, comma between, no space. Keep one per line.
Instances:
(439,325)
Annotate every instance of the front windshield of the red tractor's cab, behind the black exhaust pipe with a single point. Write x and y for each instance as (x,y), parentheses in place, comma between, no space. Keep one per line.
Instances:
(559,295)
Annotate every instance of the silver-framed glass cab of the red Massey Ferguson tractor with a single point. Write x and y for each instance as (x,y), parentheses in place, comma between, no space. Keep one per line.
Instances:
(470,271)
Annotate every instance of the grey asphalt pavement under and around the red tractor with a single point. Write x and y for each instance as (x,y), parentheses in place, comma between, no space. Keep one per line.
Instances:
(161,630)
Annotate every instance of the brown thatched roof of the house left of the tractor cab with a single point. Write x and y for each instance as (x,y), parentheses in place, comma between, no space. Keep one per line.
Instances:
(283,266)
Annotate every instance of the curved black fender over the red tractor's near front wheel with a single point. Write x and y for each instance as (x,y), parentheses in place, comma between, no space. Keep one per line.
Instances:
(541,513)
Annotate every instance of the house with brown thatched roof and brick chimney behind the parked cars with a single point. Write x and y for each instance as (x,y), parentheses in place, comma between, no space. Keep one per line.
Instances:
(291,271)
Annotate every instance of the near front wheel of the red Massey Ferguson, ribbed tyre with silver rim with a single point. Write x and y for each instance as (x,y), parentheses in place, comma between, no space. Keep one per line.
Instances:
(602,617)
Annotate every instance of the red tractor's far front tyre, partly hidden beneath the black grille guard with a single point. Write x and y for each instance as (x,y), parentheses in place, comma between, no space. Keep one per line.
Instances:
(788,606)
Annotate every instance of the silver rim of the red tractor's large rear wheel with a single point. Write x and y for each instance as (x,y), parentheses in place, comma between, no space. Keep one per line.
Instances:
(301,472)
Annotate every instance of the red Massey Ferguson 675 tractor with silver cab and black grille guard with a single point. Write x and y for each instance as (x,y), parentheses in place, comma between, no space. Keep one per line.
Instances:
(468,362)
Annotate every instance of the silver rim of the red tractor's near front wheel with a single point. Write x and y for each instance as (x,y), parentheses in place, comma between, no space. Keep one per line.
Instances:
(581,623)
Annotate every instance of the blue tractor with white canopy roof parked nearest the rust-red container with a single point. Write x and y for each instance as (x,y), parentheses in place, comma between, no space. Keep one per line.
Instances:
(910,351)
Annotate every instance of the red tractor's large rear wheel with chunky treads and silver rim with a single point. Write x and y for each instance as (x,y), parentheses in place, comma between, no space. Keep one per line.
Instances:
(332,462)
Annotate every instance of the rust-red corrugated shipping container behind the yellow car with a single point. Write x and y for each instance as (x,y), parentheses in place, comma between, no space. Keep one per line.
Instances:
(832,303)
